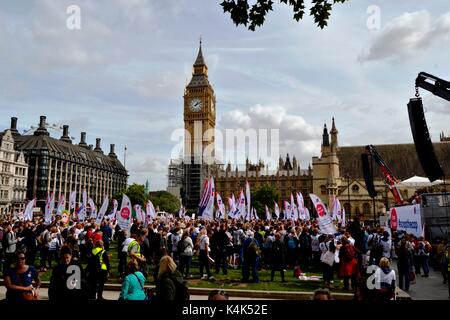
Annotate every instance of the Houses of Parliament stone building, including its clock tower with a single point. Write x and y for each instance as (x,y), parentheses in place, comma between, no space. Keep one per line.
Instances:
(337,171)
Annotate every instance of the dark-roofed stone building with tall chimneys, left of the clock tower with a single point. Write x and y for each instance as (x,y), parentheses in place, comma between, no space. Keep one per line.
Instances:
(60,166)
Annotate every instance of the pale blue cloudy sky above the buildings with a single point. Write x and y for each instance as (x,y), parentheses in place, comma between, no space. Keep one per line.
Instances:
(121,76)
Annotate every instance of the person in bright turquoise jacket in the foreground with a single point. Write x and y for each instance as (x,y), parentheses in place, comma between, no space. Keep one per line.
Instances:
(133,284)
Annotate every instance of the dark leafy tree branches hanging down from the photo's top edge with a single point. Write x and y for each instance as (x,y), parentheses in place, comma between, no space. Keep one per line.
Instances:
(254,15)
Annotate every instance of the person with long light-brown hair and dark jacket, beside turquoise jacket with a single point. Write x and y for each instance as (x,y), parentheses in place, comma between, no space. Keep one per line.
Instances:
(170,285)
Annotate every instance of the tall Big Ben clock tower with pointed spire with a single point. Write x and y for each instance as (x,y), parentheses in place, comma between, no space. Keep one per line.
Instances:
(199,124)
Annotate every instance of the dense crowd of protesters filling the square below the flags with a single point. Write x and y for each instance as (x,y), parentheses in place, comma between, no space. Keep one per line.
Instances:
(169,245)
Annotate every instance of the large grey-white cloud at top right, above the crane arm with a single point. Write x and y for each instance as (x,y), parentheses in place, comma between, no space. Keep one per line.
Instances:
(408,35)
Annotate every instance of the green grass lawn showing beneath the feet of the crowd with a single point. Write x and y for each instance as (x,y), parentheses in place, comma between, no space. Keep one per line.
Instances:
(230,281)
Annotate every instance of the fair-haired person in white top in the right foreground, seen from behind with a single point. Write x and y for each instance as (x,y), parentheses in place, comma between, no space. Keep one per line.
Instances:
(386,278)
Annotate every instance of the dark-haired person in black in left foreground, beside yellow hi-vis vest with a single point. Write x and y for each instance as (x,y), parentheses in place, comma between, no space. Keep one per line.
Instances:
(59,289)
